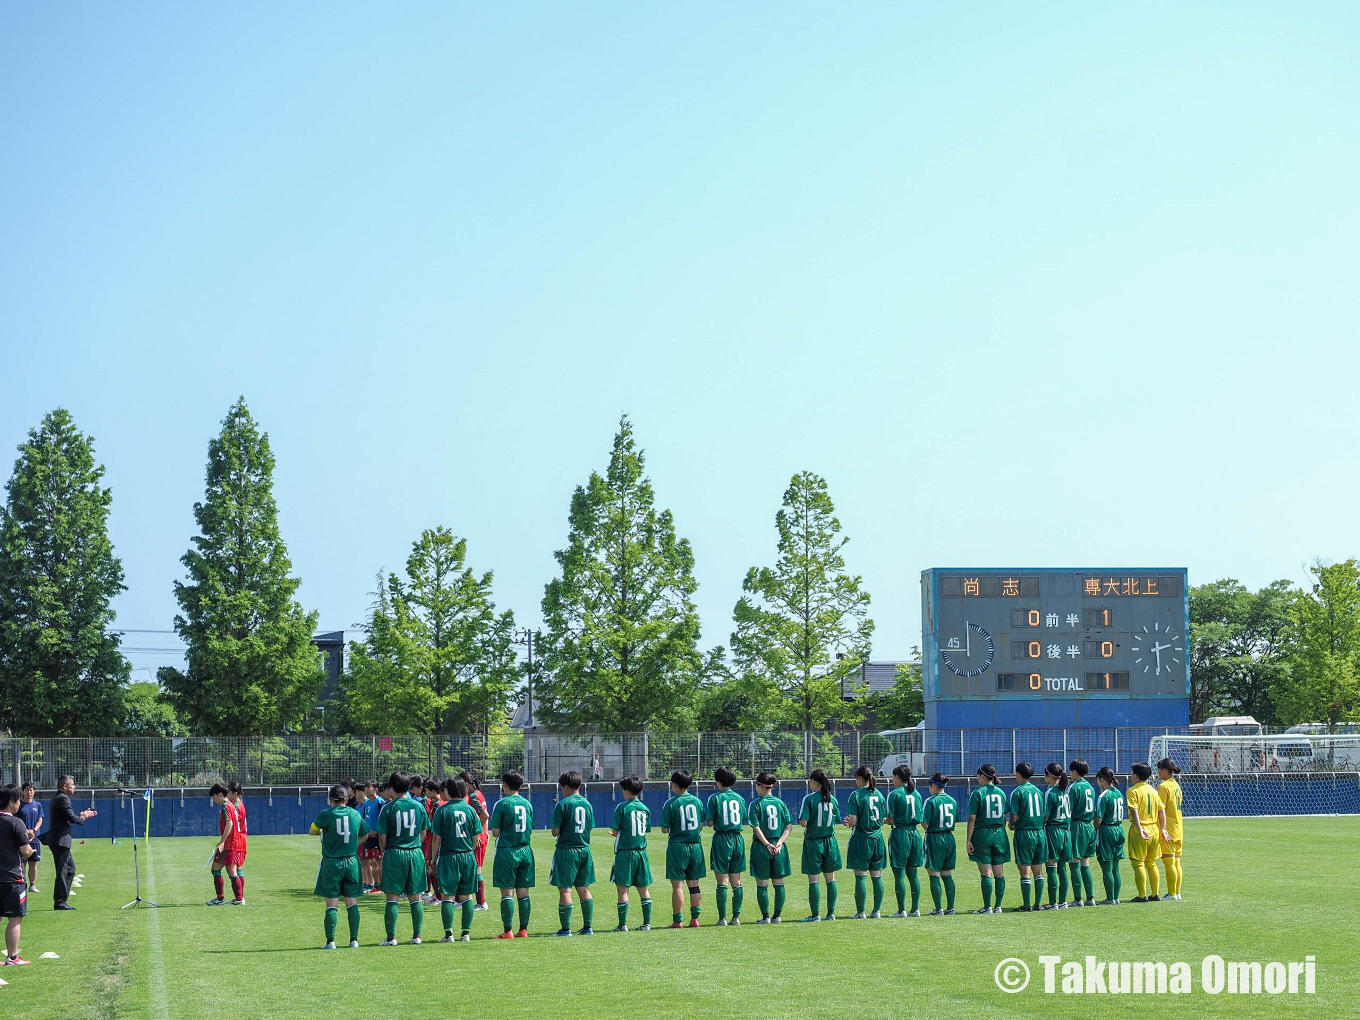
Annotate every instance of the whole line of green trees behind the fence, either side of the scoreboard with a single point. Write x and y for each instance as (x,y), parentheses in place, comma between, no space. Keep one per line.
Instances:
(621,648)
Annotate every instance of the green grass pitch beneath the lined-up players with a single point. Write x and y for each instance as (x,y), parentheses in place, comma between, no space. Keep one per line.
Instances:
(1256,890)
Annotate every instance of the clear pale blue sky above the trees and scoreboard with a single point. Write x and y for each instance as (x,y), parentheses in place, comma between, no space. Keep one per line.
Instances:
(1063,286)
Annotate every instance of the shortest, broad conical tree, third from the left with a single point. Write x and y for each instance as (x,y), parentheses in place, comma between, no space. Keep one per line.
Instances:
(436,656)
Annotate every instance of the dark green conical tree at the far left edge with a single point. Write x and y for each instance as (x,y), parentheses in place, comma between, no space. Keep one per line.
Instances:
(62,673)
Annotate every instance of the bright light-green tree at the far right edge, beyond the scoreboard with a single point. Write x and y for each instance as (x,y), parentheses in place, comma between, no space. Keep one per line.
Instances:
(1324,679)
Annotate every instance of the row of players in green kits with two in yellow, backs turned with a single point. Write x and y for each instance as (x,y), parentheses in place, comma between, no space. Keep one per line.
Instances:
(1056,834)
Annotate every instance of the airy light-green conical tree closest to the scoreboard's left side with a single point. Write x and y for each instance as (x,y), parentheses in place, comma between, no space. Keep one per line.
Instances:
(803,626)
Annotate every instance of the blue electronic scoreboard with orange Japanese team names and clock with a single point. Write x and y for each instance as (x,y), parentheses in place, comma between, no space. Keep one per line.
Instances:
(1056,647)
